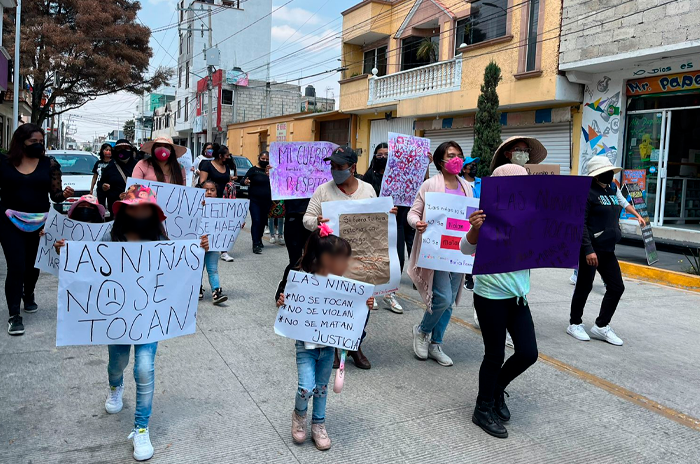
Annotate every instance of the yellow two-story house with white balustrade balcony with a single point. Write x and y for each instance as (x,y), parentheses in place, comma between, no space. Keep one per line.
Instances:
(417,66)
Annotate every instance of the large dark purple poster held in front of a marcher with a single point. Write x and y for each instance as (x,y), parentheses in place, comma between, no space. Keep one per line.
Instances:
(531,223)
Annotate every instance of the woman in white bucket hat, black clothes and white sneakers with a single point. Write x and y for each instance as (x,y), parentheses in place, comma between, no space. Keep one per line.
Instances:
(601,232)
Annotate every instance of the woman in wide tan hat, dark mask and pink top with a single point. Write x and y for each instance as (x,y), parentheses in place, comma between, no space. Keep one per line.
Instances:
(162,165)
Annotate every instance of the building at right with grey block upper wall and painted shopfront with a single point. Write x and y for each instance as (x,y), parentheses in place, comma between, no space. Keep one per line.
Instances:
(639,65)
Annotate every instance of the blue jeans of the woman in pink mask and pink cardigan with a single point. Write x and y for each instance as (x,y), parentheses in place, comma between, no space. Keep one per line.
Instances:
(445,289)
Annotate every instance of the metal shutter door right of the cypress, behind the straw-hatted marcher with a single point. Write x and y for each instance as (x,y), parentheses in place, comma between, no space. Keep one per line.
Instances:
(556,138)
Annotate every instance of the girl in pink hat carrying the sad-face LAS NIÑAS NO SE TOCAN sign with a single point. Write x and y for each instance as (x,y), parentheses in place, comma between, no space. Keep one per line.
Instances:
(138,218)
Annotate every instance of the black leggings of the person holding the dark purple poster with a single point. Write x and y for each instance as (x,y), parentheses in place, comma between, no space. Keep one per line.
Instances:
(495,316)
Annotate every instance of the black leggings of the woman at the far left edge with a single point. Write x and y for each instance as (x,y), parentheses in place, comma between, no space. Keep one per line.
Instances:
(20,253)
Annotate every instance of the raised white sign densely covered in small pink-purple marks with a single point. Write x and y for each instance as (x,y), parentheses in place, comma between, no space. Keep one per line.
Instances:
(405,169)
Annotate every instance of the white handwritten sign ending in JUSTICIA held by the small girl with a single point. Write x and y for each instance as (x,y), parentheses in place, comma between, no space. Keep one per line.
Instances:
(329,311)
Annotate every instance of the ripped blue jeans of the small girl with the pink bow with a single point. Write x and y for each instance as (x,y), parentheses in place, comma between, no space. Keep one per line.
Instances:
(314,368)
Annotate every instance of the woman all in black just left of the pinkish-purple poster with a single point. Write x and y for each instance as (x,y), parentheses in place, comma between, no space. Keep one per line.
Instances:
(260,195)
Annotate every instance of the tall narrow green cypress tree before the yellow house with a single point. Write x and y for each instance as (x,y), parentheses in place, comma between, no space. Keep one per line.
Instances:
(487,126)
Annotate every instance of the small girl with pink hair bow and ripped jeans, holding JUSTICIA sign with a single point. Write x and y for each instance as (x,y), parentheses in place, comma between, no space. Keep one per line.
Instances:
(324,254)
